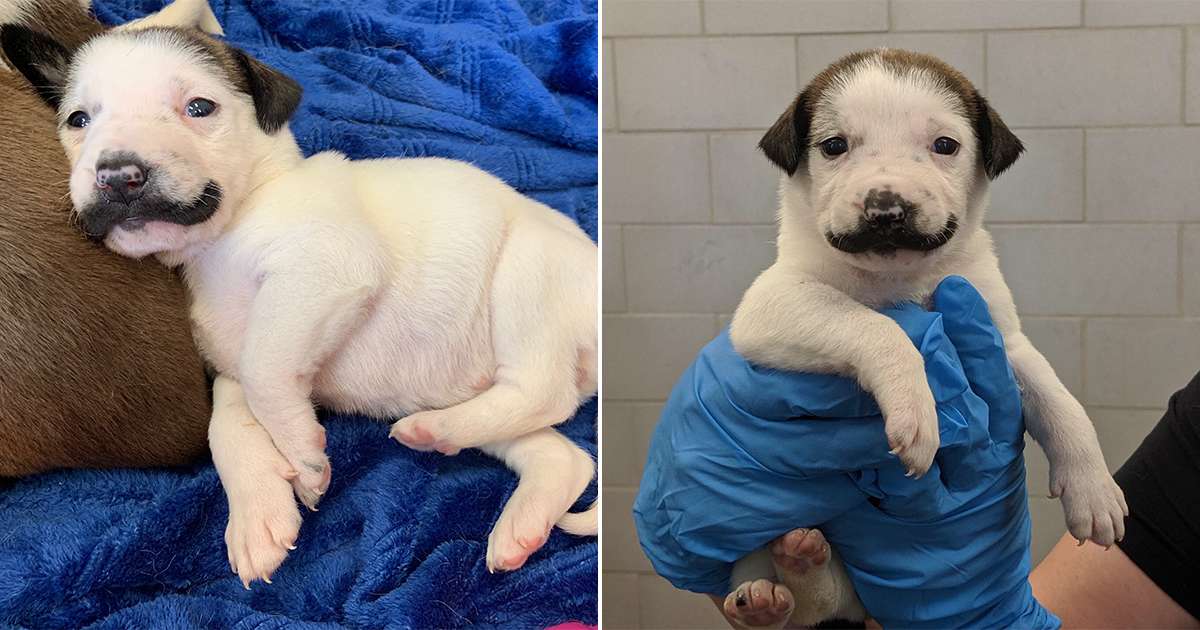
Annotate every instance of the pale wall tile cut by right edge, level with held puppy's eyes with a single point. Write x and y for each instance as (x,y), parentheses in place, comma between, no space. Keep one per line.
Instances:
(1148,175)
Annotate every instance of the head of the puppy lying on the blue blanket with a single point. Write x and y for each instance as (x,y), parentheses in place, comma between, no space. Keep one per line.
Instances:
(163,128)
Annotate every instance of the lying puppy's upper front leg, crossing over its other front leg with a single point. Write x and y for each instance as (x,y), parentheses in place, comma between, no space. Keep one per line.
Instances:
(297,322)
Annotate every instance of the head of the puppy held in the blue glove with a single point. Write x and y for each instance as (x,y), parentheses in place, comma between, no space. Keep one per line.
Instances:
(889,154)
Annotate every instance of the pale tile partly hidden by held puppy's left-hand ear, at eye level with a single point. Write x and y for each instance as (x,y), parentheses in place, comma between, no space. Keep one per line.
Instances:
(746,184)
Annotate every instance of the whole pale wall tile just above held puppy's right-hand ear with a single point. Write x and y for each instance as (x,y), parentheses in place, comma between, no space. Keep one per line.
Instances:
(1076,79)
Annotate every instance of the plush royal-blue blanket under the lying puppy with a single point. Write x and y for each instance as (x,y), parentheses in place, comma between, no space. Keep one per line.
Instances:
(509,86)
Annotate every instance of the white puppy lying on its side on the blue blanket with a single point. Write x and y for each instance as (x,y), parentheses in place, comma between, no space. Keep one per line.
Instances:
(419,289)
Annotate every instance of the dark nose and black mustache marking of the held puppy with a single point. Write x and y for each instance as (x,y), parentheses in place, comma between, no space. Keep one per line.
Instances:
(889,225)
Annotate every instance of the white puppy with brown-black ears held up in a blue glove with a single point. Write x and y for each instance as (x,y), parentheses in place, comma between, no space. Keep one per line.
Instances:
(887,157)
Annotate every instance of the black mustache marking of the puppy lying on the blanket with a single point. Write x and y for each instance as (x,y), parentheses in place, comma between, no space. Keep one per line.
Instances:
(99,219)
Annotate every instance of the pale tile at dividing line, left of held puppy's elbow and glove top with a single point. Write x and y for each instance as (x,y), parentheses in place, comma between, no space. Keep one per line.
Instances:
(644,356)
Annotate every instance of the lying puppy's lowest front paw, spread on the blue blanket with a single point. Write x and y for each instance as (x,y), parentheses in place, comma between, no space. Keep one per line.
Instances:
(263,527)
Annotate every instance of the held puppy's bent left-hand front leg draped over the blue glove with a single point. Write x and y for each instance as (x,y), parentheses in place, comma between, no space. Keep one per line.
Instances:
(789,321)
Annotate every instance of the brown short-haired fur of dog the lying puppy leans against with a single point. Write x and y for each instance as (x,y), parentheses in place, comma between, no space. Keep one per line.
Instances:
(99,364)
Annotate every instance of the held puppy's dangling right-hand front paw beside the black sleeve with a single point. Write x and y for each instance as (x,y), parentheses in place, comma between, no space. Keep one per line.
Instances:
(1093,502)
